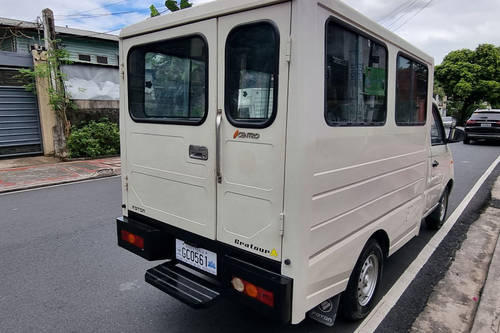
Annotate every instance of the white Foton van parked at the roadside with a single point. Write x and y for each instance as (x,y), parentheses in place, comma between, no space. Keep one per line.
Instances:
(276,152)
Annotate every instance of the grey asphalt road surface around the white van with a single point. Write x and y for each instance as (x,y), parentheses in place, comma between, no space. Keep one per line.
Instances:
(61,270)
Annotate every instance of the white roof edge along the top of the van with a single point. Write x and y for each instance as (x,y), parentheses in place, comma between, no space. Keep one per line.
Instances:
(224,7)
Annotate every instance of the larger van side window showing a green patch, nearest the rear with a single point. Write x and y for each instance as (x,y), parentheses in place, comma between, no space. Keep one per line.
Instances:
(355,78)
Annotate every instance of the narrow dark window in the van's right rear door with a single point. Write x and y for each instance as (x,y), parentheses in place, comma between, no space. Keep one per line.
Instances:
(252,75)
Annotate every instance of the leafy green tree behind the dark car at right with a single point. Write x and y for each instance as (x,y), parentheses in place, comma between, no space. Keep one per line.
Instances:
(470,78)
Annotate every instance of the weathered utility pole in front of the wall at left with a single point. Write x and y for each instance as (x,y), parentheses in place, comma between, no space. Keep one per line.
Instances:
(61,128)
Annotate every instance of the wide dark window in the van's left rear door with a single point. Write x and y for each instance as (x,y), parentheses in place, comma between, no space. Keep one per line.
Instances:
(167,81)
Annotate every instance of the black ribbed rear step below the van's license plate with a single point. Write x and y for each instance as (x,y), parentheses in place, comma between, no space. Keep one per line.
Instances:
(181,284)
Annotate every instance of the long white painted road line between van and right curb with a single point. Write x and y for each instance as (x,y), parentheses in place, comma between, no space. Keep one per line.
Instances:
(390,299)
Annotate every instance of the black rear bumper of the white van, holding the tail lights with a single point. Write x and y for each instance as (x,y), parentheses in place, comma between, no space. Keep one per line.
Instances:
(159,244)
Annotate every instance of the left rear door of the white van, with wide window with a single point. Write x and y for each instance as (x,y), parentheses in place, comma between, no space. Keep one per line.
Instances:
(170,132)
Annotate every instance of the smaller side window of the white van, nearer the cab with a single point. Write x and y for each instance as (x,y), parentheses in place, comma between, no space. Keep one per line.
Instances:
(411,92)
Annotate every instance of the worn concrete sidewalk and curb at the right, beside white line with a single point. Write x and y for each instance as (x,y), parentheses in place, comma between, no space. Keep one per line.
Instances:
(467,298)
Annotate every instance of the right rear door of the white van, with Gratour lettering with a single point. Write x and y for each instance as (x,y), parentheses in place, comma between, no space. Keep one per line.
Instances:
(251,127)
